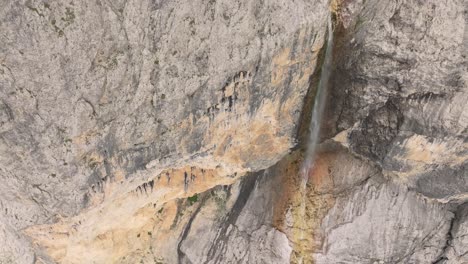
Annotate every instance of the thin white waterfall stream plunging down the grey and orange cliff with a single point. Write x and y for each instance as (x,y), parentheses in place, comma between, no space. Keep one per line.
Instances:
(314,128)
